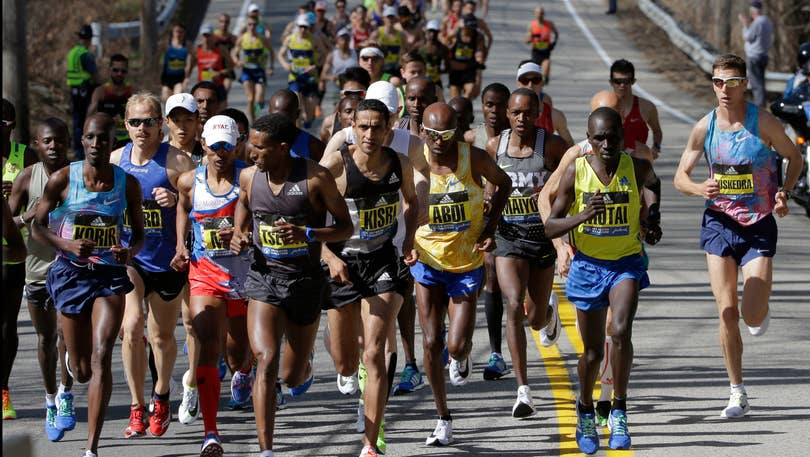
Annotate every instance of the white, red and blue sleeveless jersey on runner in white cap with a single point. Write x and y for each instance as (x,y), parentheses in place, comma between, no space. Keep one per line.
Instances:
(211,212)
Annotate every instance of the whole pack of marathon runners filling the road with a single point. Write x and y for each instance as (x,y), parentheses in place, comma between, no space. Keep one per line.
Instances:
(249,227)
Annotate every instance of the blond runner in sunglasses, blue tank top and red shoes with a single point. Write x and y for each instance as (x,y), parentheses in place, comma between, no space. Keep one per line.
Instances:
(156,166)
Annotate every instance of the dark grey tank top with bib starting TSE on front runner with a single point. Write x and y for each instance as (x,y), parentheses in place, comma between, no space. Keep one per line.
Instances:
(292,205)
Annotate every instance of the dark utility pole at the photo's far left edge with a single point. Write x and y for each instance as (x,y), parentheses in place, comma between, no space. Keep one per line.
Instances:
(15,65)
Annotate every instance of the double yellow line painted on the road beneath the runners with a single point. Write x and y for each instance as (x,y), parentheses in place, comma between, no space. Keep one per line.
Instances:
(562,388)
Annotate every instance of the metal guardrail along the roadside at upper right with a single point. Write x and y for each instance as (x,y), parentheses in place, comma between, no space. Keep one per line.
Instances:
(698,51)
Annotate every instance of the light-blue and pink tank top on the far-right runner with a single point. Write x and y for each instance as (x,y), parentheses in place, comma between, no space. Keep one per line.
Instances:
(744,168)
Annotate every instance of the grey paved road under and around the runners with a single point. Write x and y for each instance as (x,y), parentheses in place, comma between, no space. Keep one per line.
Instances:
(678,386)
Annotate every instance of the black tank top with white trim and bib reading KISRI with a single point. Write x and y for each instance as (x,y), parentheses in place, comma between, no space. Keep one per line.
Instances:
(373,205)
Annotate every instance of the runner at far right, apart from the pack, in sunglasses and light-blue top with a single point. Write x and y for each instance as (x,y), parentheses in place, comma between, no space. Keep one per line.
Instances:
(738,229)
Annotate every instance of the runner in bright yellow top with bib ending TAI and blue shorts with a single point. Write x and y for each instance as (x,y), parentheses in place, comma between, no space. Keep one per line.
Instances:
(601,195)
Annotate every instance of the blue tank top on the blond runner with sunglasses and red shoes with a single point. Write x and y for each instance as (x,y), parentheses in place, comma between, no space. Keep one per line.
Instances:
(160,234)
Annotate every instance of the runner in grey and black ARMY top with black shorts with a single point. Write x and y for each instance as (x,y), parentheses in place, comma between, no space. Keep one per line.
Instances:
(523,255)
